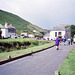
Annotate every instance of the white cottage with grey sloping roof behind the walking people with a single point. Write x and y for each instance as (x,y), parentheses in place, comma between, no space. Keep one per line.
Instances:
(58,31)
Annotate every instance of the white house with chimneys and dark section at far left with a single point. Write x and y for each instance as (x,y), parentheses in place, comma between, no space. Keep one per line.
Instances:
(8,31)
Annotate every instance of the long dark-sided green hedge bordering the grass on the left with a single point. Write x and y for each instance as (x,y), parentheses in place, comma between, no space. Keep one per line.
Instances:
(10,45)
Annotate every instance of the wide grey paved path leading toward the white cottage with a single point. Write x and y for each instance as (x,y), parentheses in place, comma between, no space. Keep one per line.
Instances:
(42,63)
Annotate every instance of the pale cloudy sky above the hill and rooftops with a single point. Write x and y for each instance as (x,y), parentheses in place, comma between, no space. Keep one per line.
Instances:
(43,13)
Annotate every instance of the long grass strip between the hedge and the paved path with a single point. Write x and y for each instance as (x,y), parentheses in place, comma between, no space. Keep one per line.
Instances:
(13,54)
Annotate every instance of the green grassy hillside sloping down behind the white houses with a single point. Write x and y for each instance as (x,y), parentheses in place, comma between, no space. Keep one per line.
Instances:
(20,24)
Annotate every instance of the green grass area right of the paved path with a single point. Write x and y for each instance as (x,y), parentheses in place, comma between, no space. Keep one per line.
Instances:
(68,66)
